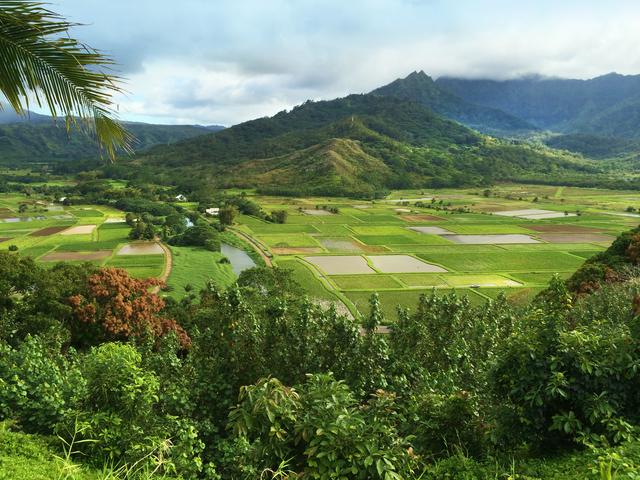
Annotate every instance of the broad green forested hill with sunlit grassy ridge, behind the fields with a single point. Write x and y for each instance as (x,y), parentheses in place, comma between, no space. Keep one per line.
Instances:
(357,145)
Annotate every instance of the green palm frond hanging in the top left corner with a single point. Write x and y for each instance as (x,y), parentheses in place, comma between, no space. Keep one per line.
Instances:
(39,58)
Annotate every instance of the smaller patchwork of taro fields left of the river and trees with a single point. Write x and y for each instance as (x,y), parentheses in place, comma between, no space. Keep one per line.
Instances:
(53,233)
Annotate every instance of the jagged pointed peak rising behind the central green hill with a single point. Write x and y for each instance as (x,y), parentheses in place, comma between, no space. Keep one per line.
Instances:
(419,87)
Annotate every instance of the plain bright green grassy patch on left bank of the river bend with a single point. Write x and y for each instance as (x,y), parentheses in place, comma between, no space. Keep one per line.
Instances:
(195,267)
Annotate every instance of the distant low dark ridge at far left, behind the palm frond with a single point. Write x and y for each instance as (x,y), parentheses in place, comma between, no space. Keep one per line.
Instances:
(38,138)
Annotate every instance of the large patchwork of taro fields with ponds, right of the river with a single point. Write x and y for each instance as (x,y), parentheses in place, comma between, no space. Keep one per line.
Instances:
(510,239)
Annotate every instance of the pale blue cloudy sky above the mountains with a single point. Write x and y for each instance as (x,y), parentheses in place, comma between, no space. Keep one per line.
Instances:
(227,61)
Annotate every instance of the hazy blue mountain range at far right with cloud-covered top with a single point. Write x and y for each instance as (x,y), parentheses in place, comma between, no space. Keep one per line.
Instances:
(608,105)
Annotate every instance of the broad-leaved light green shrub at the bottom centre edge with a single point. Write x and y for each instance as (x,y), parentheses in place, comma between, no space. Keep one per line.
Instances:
(322,429)
